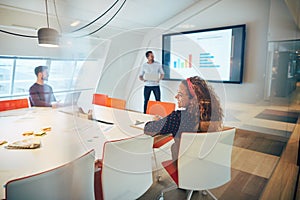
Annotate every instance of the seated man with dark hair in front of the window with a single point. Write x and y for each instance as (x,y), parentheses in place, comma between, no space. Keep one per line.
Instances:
(40,93)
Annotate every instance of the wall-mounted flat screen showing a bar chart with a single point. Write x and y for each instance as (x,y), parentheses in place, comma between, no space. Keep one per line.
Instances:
(216,54)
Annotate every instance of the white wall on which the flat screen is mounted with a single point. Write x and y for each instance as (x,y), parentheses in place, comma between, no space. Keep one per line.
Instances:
(255,14)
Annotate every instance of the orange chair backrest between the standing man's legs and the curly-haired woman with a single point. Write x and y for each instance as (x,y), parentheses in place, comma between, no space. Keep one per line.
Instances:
(160,108)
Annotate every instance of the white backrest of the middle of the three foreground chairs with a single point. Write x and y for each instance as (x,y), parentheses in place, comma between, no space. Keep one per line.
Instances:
(127,168)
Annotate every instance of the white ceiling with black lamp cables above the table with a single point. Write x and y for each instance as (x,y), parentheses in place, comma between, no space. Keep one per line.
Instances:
(29,15)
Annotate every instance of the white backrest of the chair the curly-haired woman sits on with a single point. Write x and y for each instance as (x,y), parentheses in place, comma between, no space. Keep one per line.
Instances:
(204,160)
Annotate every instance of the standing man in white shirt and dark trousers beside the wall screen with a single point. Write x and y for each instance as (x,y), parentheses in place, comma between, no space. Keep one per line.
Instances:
(151,69)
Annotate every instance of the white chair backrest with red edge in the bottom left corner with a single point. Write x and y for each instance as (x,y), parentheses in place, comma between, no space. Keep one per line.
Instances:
(74,180)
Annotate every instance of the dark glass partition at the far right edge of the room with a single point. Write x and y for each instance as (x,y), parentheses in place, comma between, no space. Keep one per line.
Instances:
(283,72)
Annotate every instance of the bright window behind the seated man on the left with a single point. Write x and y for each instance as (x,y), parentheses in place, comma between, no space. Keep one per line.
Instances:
(17,75)
